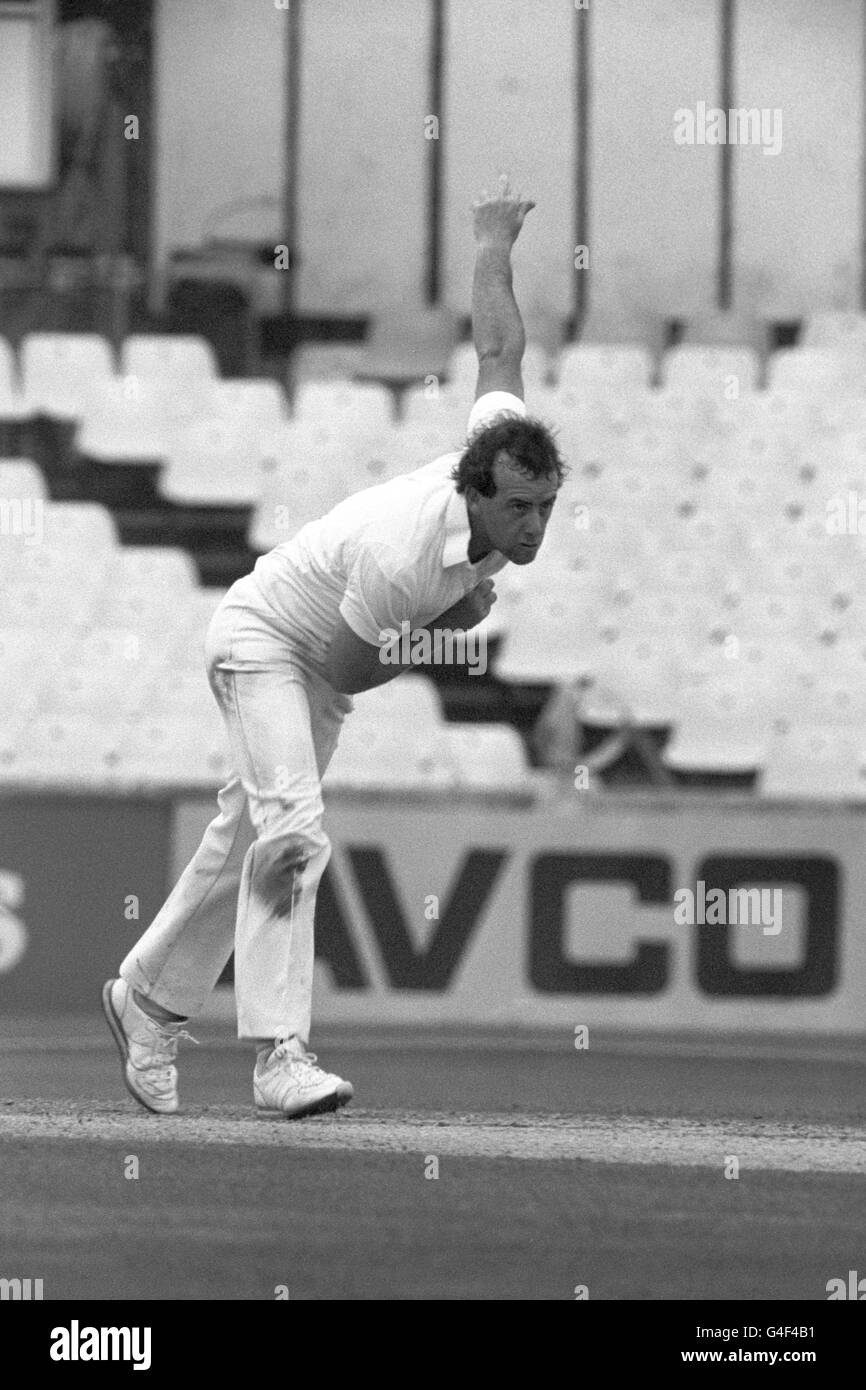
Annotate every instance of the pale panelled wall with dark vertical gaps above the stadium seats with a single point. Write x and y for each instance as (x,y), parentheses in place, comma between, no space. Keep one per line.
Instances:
(509,102)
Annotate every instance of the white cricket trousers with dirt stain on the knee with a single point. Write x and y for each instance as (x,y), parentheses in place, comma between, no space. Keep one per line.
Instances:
(284,722)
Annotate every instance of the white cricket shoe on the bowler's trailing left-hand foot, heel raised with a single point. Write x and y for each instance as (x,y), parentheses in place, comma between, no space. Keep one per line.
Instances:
(148,1049)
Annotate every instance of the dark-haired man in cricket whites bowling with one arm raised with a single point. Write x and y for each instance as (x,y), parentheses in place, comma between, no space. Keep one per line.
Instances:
(287,650)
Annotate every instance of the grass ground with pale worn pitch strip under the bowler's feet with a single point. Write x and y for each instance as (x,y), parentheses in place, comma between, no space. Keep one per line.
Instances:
(555,1168)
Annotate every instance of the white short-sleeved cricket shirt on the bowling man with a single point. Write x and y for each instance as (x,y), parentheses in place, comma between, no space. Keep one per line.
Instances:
(389,554)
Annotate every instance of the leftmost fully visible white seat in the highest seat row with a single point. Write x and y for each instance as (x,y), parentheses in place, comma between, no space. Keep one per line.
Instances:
(60,372)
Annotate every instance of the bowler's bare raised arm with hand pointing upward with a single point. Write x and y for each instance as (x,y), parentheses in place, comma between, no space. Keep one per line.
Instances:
(497,325)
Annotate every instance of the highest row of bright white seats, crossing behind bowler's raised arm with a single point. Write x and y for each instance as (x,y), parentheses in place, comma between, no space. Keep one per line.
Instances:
(170,380)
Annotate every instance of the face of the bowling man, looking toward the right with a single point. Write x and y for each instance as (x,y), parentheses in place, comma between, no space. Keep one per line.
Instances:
(515,519)
